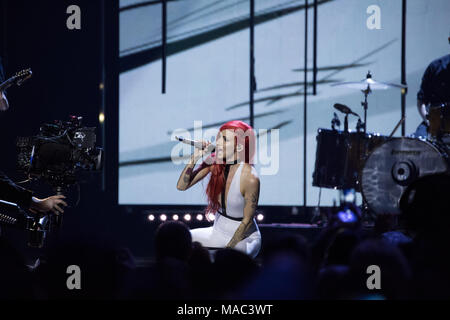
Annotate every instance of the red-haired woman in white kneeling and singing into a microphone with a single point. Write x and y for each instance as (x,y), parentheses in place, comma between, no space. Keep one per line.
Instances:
(232,177)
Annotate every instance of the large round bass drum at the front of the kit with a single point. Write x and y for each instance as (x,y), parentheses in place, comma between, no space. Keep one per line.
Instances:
(391,167)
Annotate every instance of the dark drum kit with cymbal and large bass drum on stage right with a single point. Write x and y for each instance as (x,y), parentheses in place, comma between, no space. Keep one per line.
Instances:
(380,167)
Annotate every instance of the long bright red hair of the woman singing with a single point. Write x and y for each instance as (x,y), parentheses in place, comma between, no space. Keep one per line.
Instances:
(217,178)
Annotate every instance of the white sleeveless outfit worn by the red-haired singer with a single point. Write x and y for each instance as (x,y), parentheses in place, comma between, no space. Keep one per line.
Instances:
(224,227)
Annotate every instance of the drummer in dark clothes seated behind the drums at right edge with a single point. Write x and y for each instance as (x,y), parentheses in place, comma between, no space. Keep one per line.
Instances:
(434,90)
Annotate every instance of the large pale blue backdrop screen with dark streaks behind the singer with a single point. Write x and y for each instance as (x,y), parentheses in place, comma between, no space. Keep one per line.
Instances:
(208,83)
